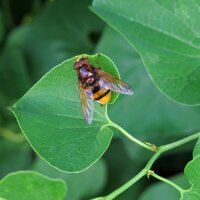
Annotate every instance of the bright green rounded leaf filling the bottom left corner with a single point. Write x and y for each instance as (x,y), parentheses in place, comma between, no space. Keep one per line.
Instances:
(31,185)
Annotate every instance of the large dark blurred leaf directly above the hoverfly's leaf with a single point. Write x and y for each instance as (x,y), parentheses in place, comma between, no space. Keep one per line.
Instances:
(62,31)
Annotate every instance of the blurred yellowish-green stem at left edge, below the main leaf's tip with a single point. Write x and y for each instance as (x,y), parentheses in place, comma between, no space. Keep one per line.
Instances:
(11,136)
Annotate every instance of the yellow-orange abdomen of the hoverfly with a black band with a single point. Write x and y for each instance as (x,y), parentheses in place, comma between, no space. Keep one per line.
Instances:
(102,96)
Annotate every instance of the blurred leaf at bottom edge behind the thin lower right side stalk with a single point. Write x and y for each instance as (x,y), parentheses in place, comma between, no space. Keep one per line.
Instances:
(160,190)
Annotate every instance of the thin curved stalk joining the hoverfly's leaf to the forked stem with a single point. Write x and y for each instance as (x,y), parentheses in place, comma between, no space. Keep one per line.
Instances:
(130,137)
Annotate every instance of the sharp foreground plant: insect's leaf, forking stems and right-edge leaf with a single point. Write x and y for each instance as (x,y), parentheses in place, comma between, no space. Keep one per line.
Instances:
(51,119)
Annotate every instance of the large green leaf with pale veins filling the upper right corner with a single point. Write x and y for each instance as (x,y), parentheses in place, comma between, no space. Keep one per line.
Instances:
(166,35)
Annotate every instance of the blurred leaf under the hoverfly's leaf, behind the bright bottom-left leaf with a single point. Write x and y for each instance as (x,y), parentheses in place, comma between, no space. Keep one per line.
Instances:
(81,185)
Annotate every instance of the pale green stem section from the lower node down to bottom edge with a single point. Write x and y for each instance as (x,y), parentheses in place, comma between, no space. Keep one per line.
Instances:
(125,186)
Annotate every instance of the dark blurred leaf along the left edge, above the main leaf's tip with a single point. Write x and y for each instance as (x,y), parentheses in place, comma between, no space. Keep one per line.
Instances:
(14,78)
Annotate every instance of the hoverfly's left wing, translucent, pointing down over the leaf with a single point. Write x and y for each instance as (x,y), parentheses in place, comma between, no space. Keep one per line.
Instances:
(86,99)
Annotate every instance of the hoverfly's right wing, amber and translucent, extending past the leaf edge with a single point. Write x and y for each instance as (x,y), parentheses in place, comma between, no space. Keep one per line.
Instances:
(114,84)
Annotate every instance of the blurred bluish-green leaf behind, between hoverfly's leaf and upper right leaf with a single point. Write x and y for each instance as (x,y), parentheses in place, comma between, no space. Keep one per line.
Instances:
(147,114)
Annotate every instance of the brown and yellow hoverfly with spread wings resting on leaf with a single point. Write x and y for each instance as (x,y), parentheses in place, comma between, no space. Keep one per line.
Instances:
(95,84)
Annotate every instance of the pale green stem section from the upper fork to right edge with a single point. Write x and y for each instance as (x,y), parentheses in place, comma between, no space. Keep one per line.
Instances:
(173,145)
